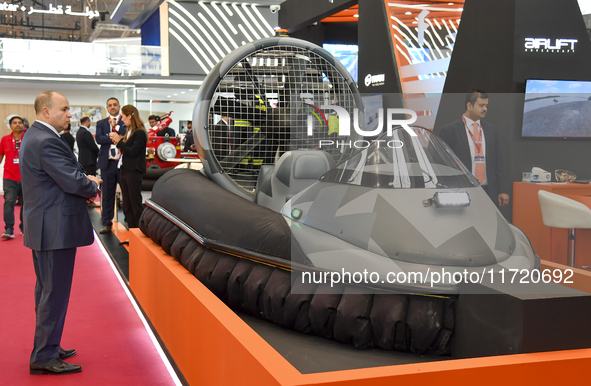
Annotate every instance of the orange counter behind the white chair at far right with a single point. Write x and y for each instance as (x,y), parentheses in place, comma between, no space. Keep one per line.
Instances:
(550,243)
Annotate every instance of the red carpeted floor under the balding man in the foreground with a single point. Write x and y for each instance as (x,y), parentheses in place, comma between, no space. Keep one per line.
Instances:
(103,324)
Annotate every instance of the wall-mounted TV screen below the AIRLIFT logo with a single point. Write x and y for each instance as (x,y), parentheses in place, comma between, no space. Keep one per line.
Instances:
(557,109)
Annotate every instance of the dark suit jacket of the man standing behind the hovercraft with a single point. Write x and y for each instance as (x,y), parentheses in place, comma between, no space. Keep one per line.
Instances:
(497,173)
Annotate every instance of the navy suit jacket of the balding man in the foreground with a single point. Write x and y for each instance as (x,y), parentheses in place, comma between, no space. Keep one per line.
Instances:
(55,190)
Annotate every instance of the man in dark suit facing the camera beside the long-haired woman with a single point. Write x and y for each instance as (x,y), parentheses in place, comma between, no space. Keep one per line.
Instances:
(108,158)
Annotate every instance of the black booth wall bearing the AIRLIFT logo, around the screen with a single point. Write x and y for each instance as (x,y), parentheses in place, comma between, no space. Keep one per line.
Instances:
(489,54)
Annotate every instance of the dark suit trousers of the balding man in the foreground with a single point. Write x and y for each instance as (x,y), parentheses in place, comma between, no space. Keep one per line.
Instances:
(54,270)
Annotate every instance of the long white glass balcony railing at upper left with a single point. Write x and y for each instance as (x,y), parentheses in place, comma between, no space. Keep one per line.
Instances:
(74,58)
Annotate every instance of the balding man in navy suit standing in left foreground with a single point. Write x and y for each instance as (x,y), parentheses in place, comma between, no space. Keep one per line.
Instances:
(56,223)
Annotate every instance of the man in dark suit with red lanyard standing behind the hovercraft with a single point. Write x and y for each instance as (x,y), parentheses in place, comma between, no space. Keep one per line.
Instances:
(476,143)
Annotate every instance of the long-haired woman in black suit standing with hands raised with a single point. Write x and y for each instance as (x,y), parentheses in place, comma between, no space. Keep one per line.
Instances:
(133,166)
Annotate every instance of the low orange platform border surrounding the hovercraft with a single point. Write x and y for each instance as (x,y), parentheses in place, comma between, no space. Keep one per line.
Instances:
(213,346)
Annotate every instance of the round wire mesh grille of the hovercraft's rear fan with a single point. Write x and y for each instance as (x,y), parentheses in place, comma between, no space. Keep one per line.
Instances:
(261,108)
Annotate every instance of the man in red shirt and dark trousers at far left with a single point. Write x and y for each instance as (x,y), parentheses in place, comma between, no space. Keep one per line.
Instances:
(10,147)
